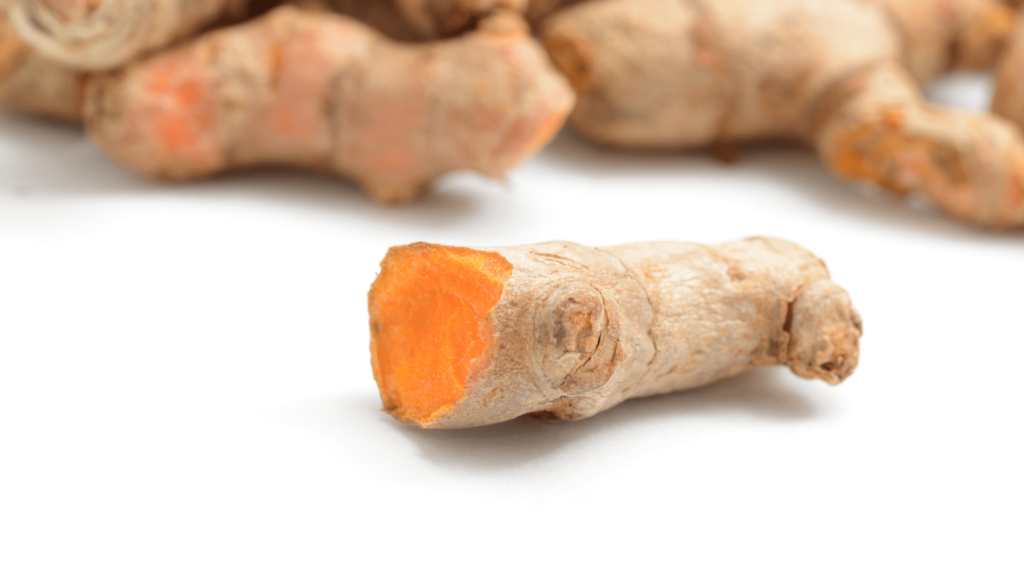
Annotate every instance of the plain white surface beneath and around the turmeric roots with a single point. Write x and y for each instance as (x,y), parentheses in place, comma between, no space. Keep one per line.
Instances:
(186,385)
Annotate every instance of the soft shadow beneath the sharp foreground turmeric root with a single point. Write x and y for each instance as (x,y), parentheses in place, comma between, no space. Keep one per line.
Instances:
(758,394)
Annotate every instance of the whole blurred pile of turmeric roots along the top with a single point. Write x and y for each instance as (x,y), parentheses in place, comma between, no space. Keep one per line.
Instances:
(468,89)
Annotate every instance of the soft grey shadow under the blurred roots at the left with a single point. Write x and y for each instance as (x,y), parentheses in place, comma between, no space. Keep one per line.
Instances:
(58,158)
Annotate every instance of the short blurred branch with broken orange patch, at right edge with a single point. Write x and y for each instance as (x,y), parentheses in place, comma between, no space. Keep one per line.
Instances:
(970,166)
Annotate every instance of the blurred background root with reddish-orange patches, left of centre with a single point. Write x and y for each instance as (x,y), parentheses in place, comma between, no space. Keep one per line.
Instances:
(321,91)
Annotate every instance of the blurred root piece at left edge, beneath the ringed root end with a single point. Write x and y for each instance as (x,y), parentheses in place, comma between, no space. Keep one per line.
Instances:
(31,85)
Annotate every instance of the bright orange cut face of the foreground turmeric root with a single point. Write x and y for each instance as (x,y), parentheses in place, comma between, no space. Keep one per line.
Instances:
(431,327)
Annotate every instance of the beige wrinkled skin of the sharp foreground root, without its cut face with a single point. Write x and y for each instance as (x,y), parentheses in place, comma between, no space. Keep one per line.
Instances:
(579,331)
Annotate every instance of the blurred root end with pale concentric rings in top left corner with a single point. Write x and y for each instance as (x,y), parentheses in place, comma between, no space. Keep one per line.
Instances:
(106,34)
